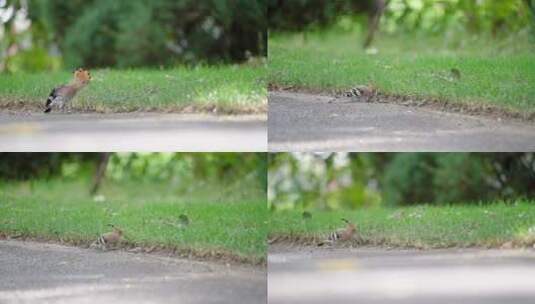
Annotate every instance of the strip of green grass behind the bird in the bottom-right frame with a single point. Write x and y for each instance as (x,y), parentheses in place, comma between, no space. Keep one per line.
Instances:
(422,227)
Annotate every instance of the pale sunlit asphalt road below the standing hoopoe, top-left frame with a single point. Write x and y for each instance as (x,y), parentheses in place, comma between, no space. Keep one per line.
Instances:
(132,132)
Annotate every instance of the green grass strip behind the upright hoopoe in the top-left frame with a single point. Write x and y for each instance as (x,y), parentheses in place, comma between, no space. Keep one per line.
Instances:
(229,89)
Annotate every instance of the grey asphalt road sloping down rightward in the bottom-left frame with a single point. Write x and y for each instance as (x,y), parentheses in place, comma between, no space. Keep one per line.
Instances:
(46,273)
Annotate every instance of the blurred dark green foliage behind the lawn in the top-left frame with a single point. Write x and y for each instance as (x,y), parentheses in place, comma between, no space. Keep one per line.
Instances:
(133,33)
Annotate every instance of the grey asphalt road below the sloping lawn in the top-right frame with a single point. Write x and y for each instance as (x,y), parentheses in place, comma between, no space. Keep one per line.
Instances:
(303,122)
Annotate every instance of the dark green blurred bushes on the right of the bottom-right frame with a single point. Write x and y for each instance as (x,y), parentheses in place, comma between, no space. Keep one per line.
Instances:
(458,177)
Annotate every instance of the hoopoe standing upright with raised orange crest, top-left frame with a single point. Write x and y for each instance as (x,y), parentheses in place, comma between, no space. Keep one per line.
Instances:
(63,94)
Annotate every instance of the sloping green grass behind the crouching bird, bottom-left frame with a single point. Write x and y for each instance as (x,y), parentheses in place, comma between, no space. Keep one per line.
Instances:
(230,228)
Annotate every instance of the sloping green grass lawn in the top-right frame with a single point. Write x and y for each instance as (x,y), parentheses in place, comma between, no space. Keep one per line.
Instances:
(500,73)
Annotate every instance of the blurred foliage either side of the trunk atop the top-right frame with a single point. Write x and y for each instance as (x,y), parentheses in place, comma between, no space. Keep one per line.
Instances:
(491,16)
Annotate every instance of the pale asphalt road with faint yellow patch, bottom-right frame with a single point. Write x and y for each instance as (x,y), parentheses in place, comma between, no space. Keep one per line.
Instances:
(305,275)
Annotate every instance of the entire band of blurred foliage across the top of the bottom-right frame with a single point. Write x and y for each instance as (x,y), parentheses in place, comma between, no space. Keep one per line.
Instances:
(341,180)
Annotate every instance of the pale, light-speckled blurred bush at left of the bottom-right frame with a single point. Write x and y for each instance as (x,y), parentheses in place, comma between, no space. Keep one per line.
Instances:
(321,180)
